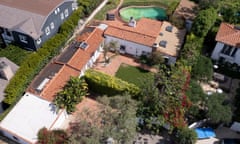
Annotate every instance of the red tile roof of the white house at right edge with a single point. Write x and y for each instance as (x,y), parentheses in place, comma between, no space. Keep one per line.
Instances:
(228,34)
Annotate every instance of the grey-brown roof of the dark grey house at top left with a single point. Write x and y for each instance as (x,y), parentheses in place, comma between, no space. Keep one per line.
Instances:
(26,16)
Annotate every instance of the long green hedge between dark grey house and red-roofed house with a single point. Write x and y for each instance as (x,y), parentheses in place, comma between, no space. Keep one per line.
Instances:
(37,60)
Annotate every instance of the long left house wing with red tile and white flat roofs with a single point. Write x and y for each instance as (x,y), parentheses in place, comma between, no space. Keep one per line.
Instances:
(35,109)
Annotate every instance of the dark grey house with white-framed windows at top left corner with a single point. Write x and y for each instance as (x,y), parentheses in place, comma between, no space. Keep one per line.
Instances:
(29,23)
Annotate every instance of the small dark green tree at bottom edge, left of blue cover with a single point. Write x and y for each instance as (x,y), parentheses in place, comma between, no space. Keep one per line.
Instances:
(186,136)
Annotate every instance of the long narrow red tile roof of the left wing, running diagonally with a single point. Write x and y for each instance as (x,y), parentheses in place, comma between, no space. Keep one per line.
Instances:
(74,66)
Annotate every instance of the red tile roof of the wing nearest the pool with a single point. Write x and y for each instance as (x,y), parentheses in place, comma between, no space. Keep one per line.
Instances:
(145,32)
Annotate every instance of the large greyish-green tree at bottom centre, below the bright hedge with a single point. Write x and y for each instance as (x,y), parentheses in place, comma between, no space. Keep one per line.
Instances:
(115,118)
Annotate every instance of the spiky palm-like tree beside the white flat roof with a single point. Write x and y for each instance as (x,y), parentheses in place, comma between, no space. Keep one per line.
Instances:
(72,94)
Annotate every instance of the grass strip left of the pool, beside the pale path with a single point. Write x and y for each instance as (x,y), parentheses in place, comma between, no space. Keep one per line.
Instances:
(111,4)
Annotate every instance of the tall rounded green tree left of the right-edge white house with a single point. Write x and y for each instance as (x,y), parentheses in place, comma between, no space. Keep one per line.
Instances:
(204,21)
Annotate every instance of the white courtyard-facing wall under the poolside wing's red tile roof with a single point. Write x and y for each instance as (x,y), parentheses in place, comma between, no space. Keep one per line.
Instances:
(131,47)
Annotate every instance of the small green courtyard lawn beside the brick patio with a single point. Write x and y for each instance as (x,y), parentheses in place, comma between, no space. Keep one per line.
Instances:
(132,74)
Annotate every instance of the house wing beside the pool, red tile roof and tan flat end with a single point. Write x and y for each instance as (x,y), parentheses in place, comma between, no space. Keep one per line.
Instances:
(145,36)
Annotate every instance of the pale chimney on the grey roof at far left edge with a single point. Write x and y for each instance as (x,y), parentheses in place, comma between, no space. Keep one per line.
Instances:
(5,71)
